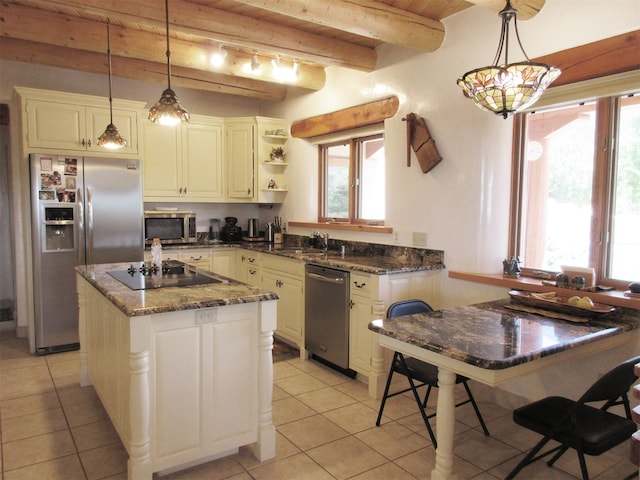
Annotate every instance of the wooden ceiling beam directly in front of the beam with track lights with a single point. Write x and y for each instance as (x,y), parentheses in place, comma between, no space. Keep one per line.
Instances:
(203,20)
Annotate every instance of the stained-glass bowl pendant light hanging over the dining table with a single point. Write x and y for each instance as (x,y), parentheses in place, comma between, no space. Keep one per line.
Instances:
(507,88)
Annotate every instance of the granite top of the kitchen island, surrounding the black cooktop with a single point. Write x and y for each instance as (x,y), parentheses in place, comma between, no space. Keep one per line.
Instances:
(145,302)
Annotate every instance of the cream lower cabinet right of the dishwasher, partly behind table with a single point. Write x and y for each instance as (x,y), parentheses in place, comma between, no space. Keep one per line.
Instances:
(370,297)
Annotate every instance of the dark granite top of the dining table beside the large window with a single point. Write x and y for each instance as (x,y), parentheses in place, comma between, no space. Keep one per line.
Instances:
(493,337)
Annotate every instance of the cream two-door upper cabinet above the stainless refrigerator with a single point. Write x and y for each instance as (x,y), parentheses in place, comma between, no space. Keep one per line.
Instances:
(57,121)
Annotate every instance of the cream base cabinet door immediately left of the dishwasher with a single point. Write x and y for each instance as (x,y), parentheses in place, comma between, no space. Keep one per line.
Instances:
(290,304)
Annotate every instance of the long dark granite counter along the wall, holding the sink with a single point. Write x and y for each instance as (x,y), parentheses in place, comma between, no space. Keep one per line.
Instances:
(375,259)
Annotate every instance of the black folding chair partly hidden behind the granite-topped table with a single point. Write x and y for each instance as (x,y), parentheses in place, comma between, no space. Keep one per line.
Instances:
(423,373)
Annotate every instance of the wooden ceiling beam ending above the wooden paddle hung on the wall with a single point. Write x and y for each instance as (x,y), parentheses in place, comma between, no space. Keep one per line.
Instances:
(366,18)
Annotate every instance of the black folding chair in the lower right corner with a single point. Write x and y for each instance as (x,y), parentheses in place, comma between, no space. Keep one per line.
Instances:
(574,424)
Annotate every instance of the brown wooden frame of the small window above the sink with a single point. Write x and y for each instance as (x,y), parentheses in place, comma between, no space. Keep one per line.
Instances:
(355,184)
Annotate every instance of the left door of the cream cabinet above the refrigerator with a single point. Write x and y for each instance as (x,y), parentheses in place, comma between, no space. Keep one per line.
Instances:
(56,125)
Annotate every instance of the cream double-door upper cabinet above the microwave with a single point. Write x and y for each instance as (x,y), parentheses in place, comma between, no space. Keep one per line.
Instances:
(183,163)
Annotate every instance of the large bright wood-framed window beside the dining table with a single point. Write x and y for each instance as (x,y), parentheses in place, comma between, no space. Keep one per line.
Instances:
(577,188)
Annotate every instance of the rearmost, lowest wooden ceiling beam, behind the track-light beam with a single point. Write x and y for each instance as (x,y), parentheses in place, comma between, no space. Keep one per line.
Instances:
(62,57)
